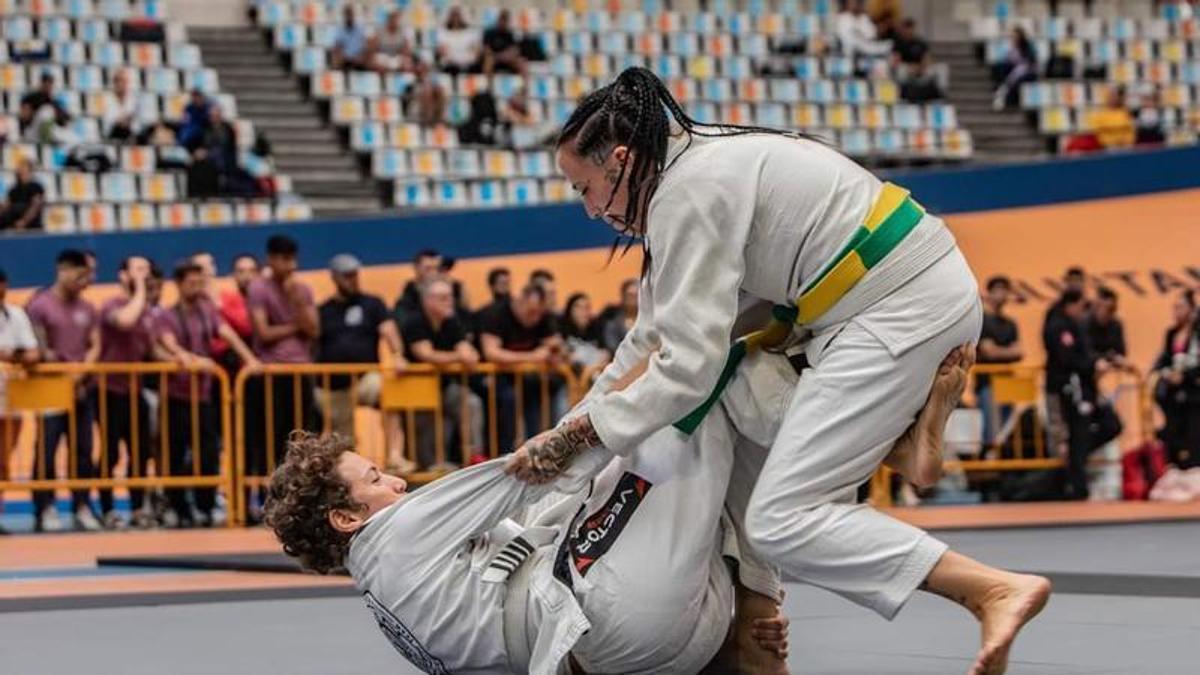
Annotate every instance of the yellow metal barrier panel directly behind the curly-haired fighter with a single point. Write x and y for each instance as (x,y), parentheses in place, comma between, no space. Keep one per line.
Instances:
(422,423)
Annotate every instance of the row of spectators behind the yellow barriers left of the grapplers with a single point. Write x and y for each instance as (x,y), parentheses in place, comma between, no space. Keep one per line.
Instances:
(271,316)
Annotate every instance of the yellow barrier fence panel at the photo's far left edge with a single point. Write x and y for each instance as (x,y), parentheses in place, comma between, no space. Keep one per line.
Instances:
(134,427)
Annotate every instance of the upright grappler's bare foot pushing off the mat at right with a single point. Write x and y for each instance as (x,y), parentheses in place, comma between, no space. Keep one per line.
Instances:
(1003,614)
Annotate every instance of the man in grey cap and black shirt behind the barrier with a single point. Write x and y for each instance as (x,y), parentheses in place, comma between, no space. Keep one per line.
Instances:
(352,325)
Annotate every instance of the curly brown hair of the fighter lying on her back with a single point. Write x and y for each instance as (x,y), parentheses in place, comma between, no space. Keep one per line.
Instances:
(304,491)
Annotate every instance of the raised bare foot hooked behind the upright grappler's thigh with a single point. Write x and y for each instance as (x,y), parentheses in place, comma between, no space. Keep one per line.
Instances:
(917,456)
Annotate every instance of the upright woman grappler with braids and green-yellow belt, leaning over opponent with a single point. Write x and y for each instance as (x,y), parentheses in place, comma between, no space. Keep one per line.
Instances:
(879,285)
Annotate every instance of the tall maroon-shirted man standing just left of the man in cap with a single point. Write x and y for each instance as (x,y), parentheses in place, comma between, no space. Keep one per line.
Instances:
(285,321)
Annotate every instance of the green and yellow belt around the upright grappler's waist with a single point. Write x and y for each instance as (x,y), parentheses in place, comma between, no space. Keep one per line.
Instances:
(893,217)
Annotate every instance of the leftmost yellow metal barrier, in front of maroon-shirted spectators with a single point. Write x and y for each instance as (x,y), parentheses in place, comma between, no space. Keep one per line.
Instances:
(45,393)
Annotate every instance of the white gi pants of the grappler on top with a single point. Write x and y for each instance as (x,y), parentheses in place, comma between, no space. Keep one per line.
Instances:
(871,378)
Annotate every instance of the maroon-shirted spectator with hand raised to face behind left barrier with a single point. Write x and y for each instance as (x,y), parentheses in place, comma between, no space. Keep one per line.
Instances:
(128,328)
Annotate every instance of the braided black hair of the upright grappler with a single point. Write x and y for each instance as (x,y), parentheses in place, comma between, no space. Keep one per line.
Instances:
(633,111)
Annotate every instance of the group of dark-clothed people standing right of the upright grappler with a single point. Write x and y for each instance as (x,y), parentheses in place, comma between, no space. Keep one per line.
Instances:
(1084,339)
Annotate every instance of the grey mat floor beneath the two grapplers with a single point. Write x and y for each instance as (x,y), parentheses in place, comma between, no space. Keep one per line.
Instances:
(1129,601)
